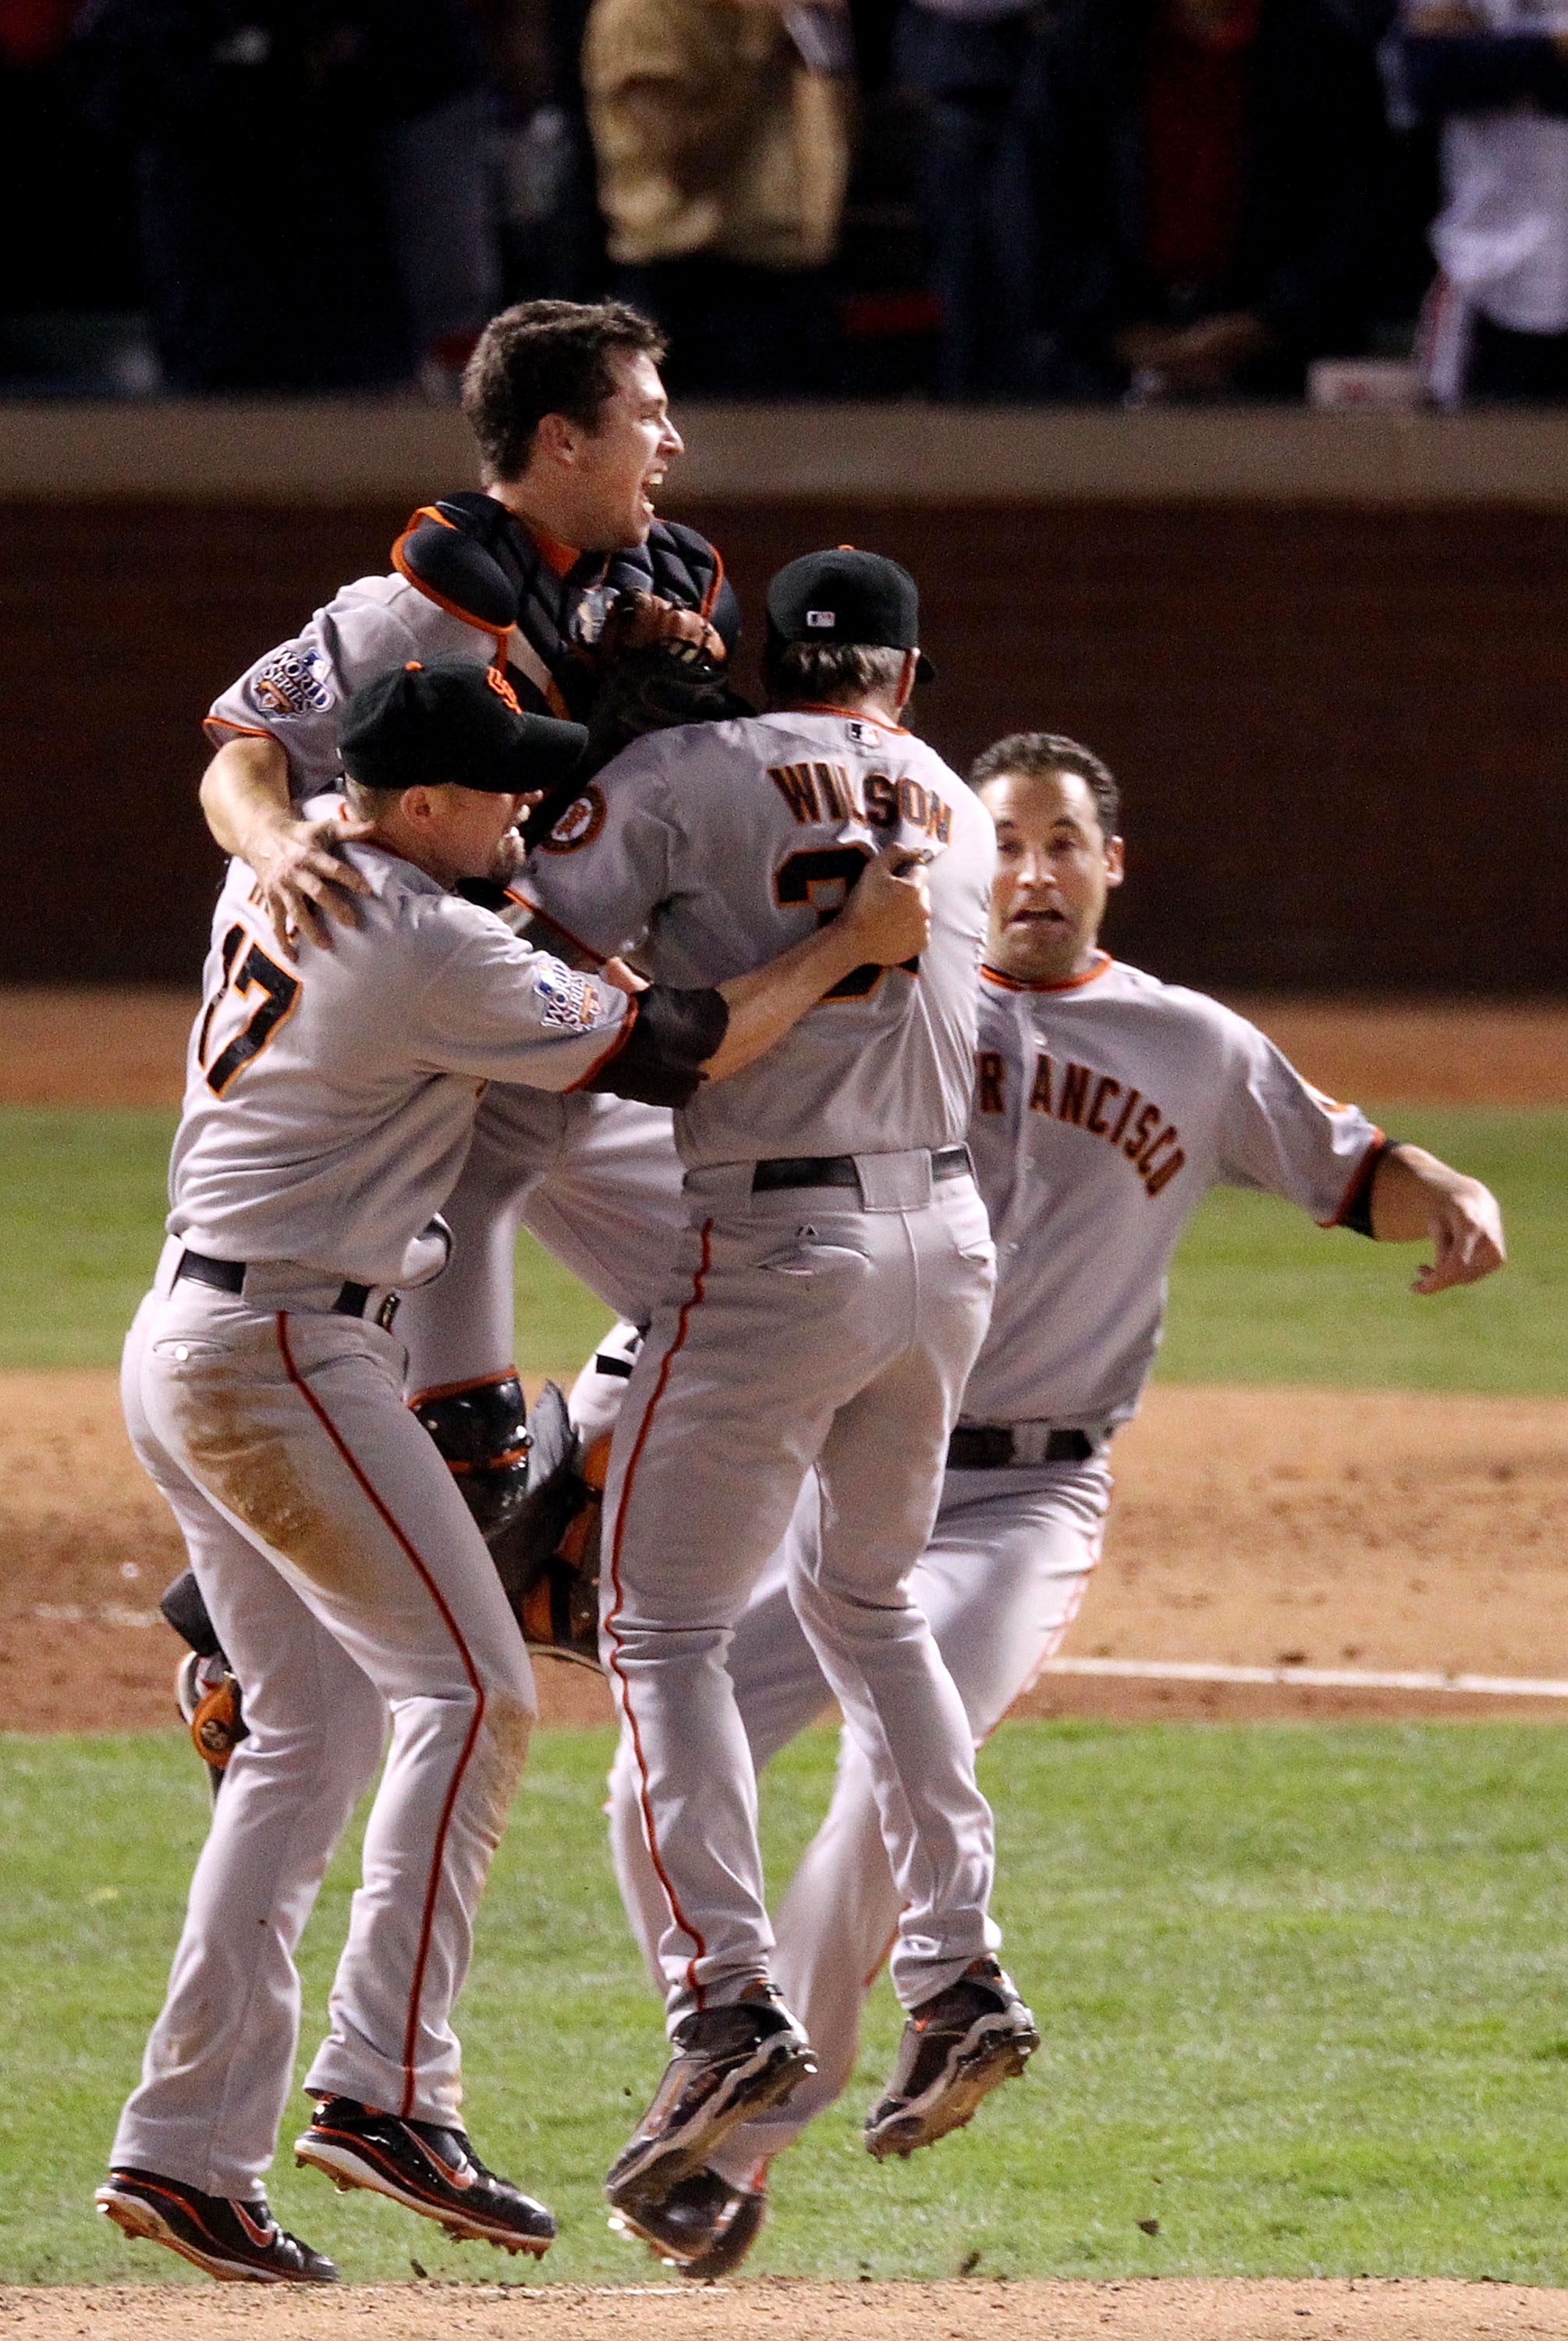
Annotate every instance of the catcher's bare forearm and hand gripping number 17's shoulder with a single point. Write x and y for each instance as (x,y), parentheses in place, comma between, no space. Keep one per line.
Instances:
(245,797)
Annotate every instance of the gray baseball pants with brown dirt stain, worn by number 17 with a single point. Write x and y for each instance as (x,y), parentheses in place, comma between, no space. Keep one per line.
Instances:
(352,1595)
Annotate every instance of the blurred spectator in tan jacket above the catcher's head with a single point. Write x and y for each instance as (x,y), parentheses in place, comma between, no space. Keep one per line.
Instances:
(722,139)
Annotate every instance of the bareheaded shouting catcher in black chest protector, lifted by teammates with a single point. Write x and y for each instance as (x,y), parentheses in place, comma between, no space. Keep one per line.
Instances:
(563,579)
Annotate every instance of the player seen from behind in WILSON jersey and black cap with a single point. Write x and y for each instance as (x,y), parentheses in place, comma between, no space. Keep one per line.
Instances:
(830,1296)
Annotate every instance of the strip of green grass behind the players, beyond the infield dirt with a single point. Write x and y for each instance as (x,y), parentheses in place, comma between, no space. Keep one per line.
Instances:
(1258,1293)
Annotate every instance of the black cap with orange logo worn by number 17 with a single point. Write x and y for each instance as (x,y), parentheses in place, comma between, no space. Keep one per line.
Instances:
(453,722)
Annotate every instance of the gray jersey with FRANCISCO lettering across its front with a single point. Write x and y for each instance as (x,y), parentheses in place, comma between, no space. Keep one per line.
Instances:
(1106,1108)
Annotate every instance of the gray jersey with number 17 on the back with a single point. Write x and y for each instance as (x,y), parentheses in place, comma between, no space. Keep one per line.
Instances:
(329,1101)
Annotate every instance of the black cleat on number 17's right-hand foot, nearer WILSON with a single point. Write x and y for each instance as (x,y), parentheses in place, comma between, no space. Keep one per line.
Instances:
(427,2169)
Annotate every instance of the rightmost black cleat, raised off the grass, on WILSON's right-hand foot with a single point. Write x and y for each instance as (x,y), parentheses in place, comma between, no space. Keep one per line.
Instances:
(956,2050)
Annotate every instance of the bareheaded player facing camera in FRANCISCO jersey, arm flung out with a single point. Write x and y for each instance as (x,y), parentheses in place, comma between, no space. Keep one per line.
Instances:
(1106,1106)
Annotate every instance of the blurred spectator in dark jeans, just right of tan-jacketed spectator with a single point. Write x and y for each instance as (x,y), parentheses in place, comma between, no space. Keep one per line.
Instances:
(968,60)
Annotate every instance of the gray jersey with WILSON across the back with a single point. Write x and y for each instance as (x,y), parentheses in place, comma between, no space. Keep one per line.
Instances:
(722,844)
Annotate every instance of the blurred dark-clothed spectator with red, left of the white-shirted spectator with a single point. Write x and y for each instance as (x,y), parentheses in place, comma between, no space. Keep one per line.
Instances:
(1213,177)
